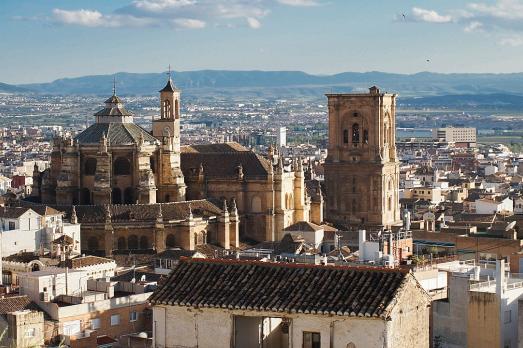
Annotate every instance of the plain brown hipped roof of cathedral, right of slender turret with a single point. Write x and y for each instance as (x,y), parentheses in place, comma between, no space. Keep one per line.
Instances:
(223,161)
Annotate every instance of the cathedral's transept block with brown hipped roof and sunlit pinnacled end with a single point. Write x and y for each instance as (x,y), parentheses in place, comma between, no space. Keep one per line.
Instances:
(268,194)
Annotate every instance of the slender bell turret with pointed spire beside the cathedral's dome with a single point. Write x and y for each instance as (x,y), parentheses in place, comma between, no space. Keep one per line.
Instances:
(171,185)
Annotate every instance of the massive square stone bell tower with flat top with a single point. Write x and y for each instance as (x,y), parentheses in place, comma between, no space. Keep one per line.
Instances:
(361,169)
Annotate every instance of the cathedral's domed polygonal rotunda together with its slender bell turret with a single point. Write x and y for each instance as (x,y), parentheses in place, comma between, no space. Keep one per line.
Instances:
(116,161)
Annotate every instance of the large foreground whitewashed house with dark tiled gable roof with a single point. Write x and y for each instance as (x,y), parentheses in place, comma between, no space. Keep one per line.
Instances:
(281,305)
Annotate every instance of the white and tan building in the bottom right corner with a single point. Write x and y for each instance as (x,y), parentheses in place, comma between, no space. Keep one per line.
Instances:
(481,309)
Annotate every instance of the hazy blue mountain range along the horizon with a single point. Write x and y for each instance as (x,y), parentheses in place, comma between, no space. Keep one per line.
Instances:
(282,84)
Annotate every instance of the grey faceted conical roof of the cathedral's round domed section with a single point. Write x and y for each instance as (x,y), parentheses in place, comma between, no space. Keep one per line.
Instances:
(116,133)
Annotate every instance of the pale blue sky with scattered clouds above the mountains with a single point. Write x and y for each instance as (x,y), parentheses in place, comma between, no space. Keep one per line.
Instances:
(43,40)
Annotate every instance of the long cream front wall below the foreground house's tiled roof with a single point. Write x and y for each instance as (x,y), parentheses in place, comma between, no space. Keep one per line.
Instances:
(213,328)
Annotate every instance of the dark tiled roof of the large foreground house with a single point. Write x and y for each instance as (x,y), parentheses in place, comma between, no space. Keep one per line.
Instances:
(279,287)
